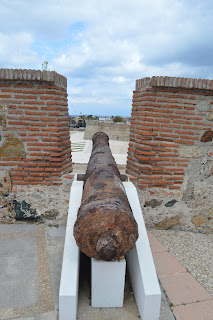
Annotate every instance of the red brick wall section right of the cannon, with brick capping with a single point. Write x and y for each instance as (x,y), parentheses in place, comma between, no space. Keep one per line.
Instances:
(167,114)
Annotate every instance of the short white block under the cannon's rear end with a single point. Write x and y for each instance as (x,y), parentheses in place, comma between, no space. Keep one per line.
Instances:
(107,283)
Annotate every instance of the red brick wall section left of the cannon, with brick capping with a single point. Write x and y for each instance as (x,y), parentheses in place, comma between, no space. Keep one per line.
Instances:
(34,126)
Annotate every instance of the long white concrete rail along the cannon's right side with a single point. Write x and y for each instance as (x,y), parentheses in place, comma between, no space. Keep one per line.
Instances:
(141,266)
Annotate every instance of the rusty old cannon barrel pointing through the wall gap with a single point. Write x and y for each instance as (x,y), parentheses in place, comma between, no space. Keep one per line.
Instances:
(105,228)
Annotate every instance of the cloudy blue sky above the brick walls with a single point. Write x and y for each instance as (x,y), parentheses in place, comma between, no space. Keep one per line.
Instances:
(103,46)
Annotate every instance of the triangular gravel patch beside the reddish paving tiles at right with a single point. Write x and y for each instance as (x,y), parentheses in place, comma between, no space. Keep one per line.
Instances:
(193,250)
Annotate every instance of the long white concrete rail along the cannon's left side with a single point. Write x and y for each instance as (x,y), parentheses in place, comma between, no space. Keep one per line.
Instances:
(68,294)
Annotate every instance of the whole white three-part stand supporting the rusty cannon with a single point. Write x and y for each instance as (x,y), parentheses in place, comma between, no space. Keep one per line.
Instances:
(108,278)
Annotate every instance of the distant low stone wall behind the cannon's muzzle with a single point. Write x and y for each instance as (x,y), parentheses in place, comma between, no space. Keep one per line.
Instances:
(115,131)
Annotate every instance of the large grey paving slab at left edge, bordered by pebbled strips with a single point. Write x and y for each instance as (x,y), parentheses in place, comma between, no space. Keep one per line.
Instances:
(19,283)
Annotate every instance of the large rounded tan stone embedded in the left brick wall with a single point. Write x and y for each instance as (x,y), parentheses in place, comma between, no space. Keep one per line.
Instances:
(12,148)
